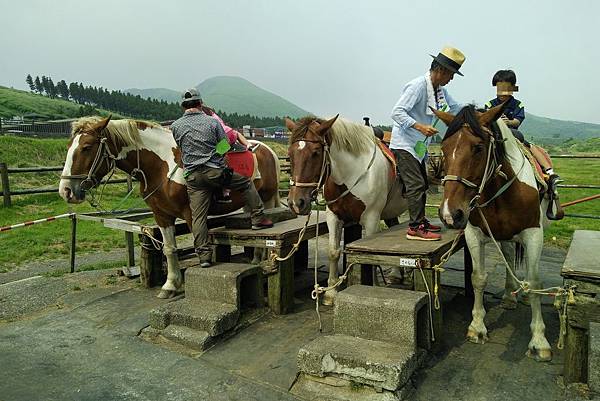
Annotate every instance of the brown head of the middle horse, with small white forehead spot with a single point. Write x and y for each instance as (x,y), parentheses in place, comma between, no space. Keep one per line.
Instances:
(309,144)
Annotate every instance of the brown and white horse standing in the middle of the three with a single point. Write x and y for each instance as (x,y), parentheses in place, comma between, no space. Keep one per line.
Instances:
(359,183)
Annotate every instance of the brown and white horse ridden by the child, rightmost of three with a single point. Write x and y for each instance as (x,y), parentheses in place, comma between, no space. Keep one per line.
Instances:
(486,170)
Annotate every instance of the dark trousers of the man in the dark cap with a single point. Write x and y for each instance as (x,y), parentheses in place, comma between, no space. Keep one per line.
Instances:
(201,184)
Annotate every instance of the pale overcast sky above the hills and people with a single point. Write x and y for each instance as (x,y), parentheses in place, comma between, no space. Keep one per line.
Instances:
(328,57)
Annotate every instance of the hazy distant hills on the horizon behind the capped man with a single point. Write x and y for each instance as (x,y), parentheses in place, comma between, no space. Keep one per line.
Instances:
(232,95)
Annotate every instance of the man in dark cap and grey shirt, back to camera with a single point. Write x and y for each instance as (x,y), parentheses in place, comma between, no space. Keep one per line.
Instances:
(198,137)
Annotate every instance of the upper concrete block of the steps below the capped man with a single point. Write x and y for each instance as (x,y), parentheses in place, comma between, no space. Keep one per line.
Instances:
(236,284)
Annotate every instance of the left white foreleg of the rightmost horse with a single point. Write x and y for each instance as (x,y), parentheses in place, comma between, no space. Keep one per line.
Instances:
(477,331)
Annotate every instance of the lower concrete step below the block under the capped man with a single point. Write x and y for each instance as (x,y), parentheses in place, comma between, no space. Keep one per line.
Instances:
(213,317)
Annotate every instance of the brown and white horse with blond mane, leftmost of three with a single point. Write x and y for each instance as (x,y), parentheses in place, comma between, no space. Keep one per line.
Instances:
(149,153)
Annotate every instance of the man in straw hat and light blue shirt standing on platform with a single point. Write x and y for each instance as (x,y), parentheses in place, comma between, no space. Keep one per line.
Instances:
(413,128)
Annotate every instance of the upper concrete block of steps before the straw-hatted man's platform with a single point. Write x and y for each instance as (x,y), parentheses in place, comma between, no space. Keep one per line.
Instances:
(383,314)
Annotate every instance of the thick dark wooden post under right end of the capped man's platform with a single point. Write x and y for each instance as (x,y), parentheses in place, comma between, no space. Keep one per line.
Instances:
(281,285)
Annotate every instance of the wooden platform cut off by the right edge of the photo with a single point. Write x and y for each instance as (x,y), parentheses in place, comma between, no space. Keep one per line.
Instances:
(581,268)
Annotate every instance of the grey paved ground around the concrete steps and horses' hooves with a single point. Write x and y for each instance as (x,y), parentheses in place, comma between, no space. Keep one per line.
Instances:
(75,337)
